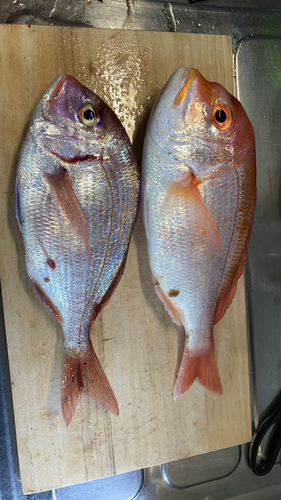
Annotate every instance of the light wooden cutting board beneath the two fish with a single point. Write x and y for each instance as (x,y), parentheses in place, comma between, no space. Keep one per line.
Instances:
(135,339)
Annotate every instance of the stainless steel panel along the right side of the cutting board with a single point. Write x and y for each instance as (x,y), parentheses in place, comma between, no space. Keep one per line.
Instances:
(259,88)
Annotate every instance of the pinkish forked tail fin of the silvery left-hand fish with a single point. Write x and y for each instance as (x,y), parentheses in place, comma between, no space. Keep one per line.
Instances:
(85,374)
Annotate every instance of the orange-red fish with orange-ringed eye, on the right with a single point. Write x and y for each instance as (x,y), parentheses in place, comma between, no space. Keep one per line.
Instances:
(198,203)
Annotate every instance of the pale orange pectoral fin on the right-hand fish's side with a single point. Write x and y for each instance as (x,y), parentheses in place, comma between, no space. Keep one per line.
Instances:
(198,211)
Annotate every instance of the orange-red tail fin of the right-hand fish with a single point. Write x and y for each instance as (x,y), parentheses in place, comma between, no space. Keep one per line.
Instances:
(202,367)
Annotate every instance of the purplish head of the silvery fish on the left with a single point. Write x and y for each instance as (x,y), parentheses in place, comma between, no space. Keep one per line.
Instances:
(72,122)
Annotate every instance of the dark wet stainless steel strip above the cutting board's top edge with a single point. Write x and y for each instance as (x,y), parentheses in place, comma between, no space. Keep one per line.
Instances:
(215,17)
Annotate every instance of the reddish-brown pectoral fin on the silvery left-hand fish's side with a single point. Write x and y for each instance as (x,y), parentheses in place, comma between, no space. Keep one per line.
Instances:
(70,204)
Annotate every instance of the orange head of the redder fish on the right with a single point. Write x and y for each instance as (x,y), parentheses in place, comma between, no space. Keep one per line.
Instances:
(201,121)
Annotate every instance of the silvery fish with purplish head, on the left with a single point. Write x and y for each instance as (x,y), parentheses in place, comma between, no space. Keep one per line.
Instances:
(77,197)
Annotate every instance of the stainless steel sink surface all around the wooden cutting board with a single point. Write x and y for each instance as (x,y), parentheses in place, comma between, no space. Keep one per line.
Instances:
(255,27)
